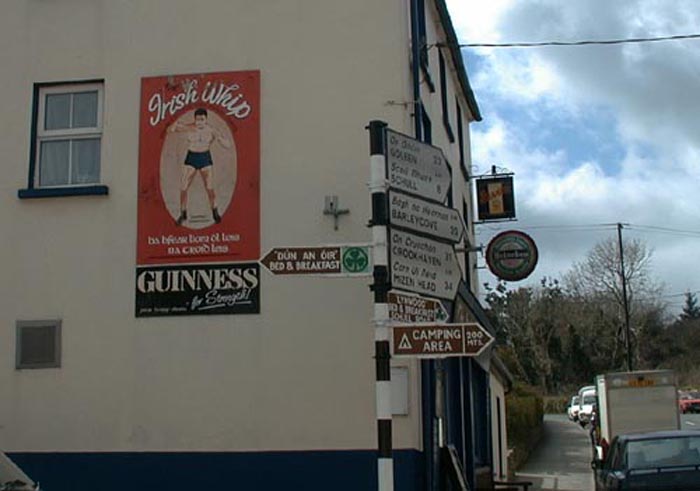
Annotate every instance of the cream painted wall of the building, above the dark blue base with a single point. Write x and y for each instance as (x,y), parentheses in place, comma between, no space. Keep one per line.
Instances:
(300,375)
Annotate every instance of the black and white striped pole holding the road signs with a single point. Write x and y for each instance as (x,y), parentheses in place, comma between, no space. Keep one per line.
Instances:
(380,288)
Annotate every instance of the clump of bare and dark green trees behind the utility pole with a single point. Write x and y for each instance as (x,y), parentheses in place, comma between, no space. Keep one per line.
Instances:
(559,334)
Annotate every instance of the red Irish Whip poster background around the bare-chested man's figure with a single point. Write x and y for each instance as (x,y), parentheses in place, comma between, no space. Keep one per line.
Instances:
(232,100)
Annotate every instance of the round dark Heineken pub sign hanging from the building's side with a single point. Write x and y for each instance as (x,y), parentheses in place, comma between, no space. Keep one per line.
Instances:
(511,255)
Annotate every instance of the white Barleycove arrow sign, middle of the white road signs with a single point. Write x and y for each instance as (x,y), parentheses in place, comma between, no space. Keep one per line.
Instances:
(424,216)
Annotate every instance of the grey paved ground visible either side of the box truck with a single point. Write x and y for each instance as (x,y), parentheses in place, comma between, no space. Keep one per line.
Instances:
(562,461)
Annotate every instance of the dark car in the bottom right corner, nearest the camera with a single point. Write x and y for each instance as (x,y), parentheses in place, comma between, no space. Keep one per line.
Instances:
(657,461)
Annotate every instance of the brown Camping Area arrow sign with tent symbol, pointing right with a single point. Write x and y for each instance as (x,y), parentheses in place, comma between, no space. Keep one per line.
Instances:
(440,340)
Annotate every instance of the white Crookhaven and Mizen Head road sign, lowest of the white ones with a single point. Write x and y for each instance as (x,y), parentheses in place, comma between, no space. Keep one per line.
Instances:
(423,266)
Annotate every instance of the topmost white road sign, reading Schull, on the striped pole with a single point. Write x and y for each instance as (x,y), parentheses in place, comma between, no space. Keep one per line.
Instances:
(417,167)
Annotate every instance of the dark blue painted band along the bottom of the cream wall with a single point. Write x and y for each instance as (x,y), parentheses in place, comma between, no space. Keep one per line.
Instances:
(187,471)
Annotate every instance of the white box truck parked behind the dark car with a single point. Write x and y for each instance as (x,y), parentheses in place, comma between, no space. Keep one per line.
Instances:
(635,402)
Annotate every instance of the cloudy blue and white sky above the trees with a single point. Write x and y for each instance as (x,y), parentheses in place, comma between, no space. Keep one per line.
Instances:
(595,135)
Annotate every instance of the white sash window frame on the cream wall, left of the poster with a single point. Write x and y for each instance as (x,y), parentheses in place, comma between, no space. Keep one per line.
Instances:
(43,135)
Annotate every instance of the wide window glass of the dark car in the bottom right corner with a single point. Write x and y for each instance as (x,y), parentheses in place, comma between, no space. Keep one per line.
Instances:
(663,452)
